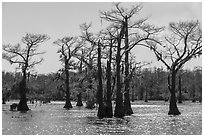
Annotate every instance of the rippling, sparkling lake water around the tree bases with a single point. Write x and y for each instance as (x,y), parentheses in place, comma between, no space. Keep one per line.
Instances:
(148,119)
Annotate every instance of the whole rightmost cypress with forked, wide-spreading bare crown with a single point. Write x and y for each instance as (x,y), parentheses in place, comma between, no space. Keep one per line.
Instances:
(183,44)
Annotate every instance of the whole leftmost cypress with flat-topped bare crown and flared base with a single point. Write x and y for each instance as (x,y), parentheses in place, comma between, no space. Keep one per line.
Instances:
(23,57)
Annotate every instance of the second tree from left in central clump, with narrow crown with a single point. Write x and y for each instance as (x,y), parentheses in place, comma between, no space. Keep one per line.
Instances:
(109,37)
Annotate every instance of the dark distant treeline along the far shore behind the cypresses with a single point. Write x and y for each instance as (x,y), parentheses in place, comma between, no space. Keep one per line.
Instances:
(146,84)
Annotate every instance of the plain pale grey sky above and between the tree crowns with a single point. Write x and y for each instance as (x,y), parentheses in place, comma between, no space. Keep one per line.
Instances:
(59,19)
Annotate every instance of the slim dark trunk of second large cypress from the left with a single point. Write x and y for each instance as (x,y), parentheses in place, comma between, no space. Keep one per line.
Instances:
(68,104)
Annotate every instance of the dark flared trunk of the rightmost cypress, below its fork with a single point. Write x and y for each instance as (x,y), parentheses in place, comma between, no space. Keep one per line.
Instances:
(173,109)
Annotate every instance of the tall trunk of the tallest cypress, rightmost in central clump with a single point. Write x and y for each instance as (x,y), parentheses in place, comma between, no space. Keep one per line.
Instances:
(127,105)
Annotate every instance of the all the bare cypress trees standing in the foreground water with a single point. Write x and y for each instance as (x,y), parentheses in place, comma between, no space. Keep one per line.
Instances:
(105,57)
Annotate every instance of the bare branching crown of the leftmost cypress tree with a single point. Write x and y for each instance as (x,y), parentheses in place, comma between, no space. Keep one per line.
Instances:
(23,56)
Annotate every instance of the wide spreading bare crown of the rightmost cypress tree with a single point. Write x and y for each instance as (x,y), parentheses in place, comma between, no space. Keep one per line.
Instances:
(184,44)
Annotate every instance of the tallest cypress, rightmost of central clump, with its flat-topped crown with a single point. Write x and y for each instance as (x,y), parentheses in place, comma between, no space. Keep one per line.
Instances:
(122,17)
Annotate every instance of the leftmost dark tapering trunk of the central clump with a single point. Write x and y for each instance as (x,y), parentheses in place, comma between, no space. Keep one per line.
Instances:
(101,109)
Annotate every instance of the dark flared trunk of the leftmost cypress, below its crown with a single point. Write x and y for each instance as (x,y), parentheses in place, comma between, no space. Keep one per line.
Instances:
(22,106)
